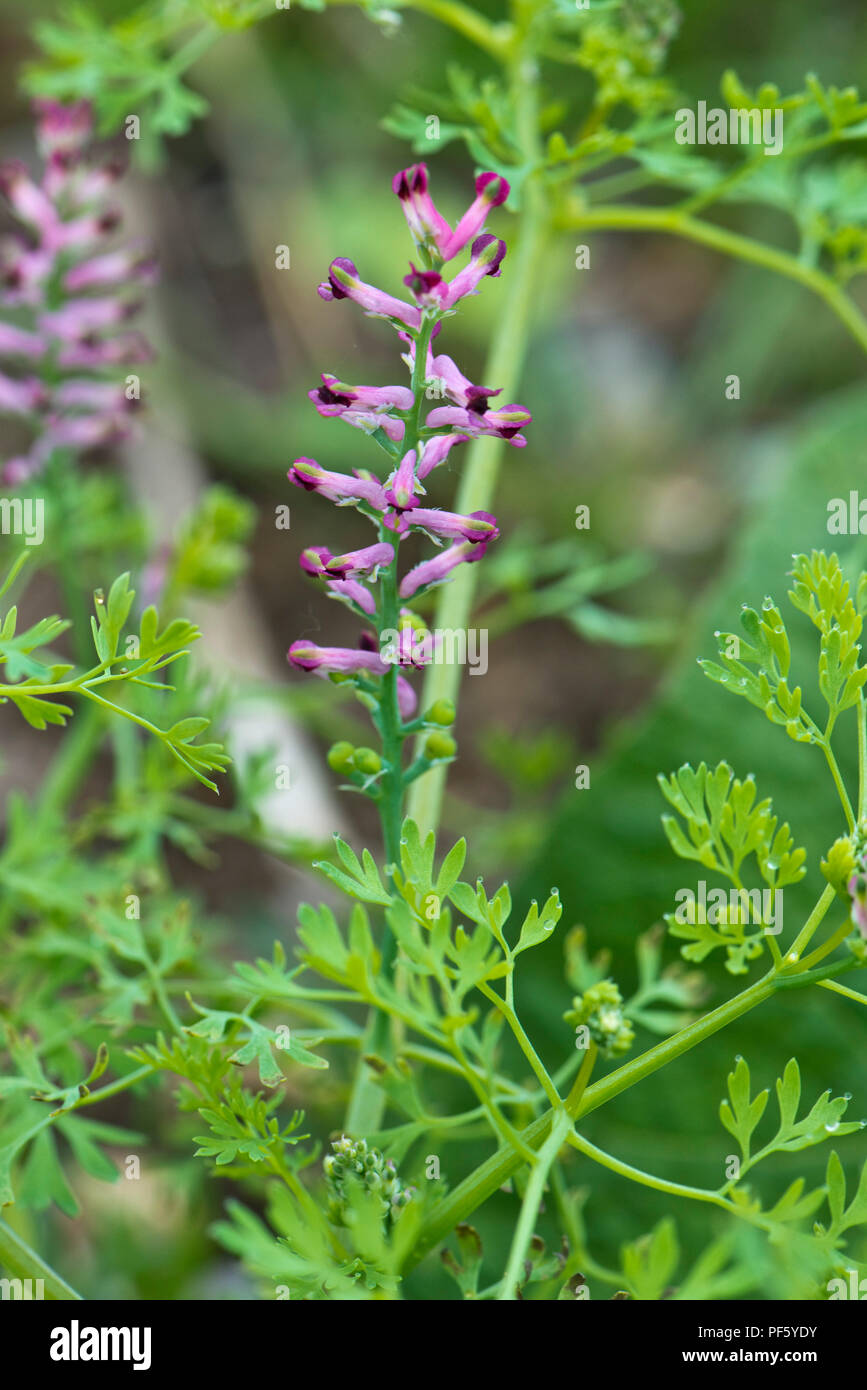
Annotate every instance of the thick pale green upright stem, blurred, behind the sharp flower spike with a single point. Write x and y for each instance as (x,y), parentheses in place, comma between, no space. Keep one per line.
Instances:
(480,473)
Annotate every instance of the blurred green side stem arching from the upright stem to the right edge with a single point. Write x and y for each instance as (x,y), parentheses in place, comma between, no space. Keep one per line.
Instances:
(613,218)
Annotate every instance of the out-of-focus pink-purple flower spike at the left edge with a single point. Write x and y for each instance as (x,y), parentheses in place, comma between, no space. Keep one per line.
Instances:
(66,297)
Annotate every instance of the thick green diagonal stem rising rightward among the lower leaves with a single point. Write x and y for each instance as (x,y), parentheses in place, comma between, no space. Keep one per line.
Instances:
(491,1175)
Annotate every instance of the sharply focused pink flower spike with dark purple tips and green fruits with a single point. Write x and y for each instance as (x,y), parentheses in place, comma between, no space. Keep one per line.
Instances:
(368,580)
